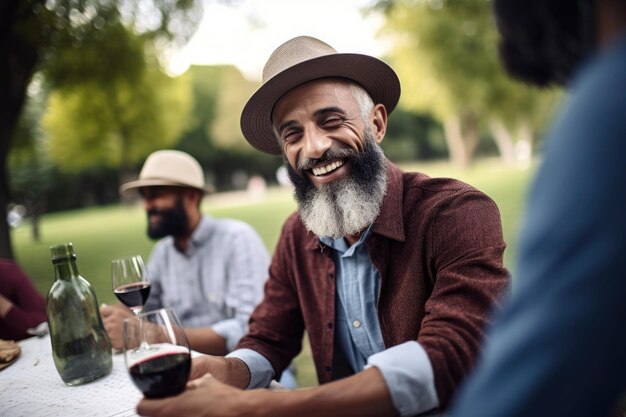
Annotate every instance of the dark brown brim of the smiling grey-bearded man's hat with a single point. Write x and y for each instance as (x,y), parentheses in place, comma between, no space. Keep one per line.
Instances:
(378,79)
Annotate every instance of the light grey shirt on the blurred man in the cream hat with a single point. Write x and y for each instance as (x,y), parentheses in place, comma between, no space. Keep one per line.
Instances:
(216,282)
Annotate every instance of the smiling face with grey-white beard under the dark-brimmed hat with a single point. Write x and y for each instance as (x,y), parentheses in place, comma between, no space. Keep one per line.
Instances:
(329,131)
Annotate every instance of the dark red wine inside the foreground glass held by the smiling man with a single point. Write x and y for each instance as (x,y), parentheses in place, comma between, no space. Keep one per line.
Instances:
(162,372)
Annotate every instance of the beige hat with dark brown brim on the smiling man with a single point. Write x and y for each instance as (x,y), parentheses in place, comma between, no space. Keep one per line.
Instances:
(304,59)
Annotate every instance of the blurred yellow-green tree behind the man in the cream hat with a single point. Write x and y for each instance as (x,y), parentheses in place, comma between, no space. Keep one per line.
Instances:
(117,124)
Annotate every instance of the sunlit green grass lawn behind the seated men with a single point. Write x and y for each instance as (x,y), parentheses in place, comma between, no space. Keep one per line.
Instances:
(101,234)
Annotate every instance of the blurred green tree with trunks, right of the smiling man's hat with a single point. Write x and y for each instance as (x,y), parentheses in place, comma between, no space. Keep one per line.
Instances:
(446,55)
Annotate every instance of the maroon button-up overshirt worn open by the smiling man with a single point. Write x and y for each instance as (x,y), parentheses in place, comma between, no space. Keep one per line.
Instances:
(438,247)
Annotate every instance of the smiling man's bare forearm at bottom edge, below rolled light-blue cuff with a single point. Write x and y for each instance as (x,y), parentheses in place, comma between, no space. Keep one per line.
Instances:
(362,395)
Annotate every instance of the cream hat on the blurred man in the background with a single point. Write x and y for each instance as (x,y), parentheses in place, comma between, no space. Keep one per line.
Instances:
(172,168)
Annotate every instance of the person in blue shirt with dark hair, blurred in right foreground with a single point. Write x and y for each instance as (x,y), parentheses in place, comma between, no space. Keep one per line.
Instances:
(559,347)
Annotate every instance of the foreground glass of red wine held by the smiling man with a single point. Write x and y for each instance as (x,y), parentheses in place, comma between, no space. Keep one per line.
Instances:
(157,353)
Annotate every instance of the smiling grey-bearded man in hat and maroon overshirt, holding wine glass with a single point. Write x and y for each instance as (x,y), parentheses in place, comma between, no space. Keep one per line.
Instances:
(393,275)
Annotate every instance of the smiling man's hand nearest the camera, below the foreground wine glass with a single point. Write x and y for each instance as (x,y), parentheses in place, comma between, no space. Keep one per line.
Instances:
(204,397)
